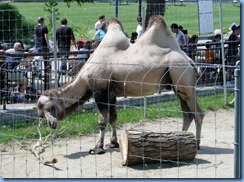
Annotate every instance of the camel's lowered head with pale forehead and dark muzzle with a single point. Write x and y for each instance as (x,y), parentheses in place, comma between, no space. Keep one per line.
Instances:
(50,108)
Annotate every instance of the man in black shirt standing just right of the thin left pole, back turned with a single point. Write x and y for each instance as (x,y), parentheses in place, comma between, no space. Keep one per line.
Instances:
(64,36)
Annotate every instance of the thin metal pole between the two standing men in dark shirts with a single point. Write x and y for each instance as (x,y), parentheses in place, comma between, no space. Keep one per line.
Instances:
(54,47)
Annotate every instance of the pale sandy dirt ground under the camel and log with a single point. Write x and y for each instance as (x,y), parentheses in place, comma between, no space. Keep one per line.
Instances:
(215,159)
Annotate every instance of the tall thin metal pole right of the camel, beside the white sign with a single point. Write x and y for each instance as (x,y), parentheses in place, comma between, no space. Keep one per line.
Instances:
(223,53)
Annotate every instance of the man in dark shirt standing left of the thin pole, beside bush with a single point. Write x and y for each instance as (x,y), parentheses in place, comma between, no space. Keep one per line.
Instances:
(42,45)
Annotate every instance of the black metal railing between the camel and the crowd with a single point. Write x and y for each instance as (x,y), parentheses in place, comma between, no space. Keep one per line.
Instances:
(42,77)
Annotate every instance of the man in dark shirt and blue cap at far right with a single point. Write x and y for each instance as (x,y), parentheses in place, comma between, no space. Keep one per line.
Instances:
(232,51)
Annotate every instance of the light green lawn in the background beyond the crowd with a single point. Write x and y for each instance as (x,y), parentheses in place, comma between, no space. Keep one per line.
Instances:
(88,13)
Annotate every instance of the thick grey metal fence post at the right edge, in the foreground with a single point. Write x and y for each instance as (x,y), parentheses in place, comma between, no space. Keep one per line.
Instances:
(237,134)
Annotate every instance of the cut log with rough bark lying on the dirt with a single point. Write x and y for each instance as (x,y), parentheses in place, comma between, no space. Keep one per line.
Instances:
(147,147)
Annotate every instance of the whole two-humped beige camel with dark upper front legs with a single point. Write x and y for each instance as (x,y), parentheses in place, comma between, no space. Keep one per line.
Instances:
(120,69)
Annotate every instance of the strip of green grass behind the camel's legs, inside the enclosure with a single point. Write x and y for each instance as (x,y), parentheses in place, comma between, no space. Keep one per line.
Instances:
(84,123)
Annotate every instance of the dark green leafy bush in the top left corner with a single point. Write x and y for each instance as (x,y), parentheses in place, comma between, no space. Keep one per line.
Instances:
(13,25)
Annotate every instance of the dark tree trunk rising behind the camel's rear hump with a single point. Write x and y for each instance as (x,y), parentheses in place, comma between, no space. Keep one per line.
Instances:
(154,7)
